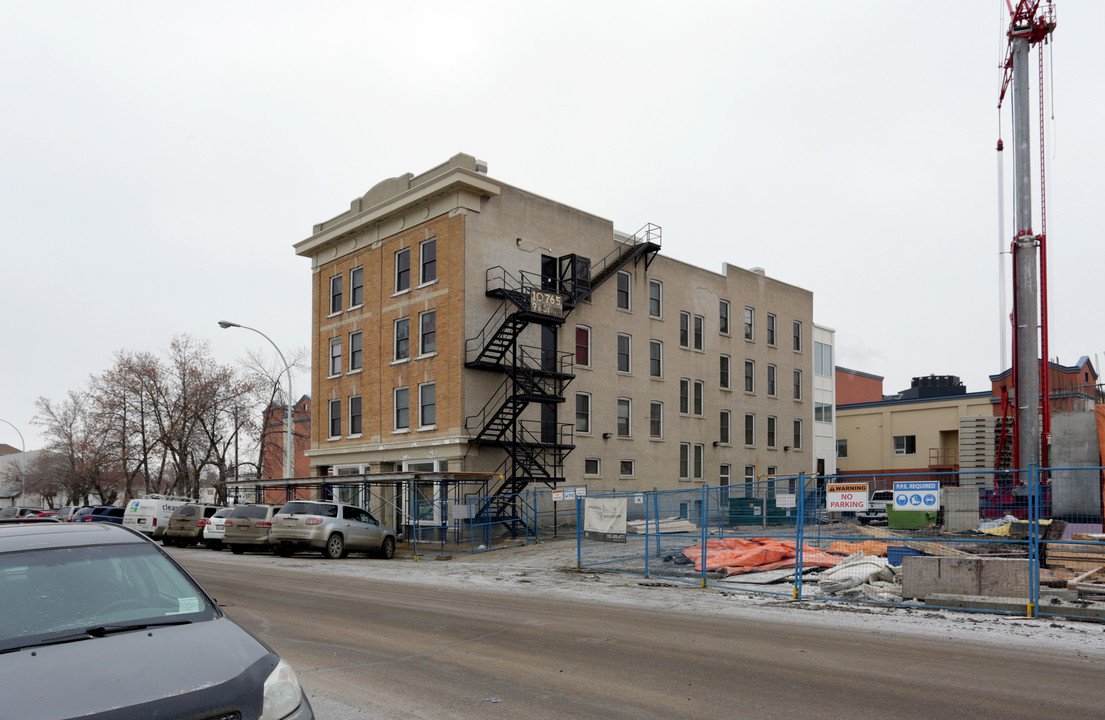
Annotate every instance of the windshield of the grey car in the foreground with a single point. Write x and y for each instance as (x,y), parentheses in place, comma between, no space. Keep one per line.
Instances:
(55,594)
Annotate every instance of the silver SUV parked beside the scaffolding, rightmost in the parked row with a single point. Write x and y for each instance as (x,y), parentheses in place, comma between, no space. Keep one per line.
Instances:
(333,528)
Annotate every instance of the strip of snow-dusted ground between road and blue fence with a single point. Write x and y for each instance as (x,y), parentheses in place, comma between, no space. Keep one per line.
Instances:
(549,569)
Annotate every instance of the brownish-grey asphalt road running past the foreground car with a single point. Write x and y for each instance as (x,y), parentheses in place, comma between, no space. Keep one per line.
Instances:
(386,650)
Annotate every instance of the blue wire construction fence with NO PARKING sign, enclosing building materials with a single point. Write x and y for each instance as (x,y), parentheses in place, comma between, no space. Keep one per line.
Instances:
(1018,543)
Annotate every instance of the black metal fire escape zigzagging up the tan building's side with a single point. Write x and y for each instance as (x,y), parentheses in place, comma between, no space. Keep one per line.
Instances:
(535,449)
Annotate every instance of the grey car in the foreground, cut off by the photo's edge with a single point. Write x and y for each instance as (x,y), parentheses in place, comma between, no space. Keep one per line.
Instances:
(135,610)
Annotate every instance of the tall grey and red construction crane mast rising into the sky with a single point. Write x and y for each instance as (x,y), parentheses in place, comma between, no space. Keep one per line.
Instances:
(1029,26)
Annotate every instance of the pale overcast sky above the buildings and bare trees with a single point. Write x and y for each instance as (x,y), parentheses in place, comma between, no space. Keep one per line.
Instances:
(160,161)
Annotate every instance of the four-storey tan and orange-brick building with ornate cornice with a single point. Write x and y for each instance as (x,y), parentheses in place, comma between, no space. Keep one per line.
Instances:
(465,325)
